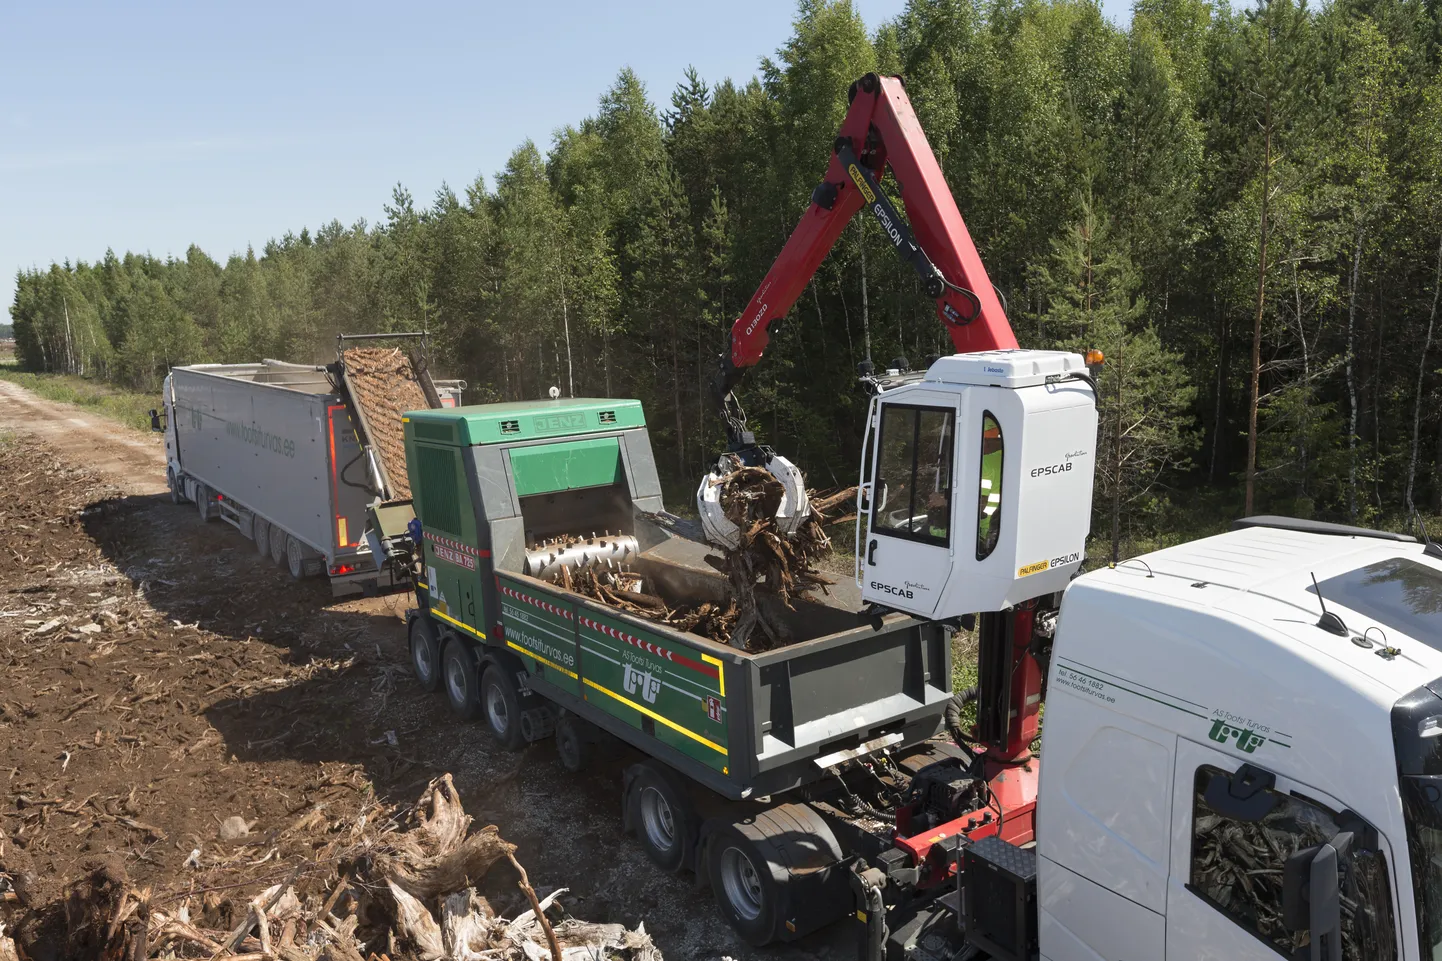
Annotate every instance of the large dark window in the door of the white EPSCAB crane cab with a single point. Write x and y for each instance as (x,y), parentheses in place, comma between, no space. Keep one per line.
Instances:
(914,488)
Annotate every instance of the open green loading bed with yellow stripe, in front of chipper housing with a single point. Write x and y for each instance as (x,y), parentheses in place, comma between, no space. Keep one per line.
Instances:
(742,724)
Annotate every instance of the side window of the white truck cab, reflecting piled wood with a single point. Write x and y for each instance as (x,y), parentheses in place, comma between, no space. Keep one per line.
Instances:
(1237,866)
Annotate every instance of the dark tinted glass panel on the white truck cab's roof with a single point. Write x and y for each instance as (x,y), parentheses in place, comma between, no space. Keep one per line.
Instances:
(1401,594)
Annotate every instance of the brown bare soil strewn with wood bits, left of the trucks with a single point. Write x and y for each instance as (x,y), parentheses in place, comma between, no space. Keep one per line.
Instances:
(158,677)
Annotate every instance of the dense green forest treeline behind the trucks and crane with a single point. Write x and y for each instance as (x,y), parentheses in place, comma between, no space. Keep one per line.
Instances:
(1232,204)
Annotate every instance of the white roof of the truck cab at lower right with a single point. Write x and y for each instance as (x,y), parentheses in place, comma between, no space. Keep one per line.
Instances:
(1265,575)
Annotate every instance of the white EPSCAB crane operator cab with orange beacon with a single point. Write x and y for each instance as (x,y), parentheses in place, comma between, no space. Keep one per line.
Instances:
(977,493)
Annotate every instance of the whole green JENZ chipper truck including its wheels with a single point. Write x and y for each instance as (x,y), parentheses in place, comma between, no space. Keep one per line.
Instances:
(508,496)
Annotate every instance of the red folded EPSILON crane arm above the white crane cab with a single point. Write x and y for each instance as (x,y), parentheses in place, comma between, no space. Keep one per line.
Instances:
(880,129)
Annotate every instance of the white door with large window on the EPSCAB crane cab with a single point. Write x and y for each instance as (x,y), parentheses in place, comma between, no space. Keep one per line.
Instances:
(906,558)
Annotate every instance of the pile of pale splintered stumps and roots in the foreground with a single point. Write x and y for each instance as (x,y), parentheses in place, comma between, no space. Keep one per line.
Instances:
(387,888)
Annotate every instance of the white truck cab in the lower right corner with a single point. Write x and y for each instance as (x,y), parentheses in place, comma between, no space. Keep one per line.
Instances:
(1206,725)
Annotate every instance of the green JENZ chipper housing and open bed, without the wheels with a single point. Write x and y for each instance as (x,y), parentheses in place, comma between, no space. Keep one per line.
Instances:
(492,480)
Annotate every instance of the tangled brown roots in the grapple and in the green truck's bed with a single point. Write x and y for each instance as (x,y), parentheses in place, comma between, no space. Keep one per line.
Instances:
(765,562)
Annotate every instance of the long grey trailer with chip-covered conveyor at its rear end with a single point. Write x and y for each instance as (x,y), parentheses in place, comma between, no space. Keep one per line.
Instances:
(295,455)
